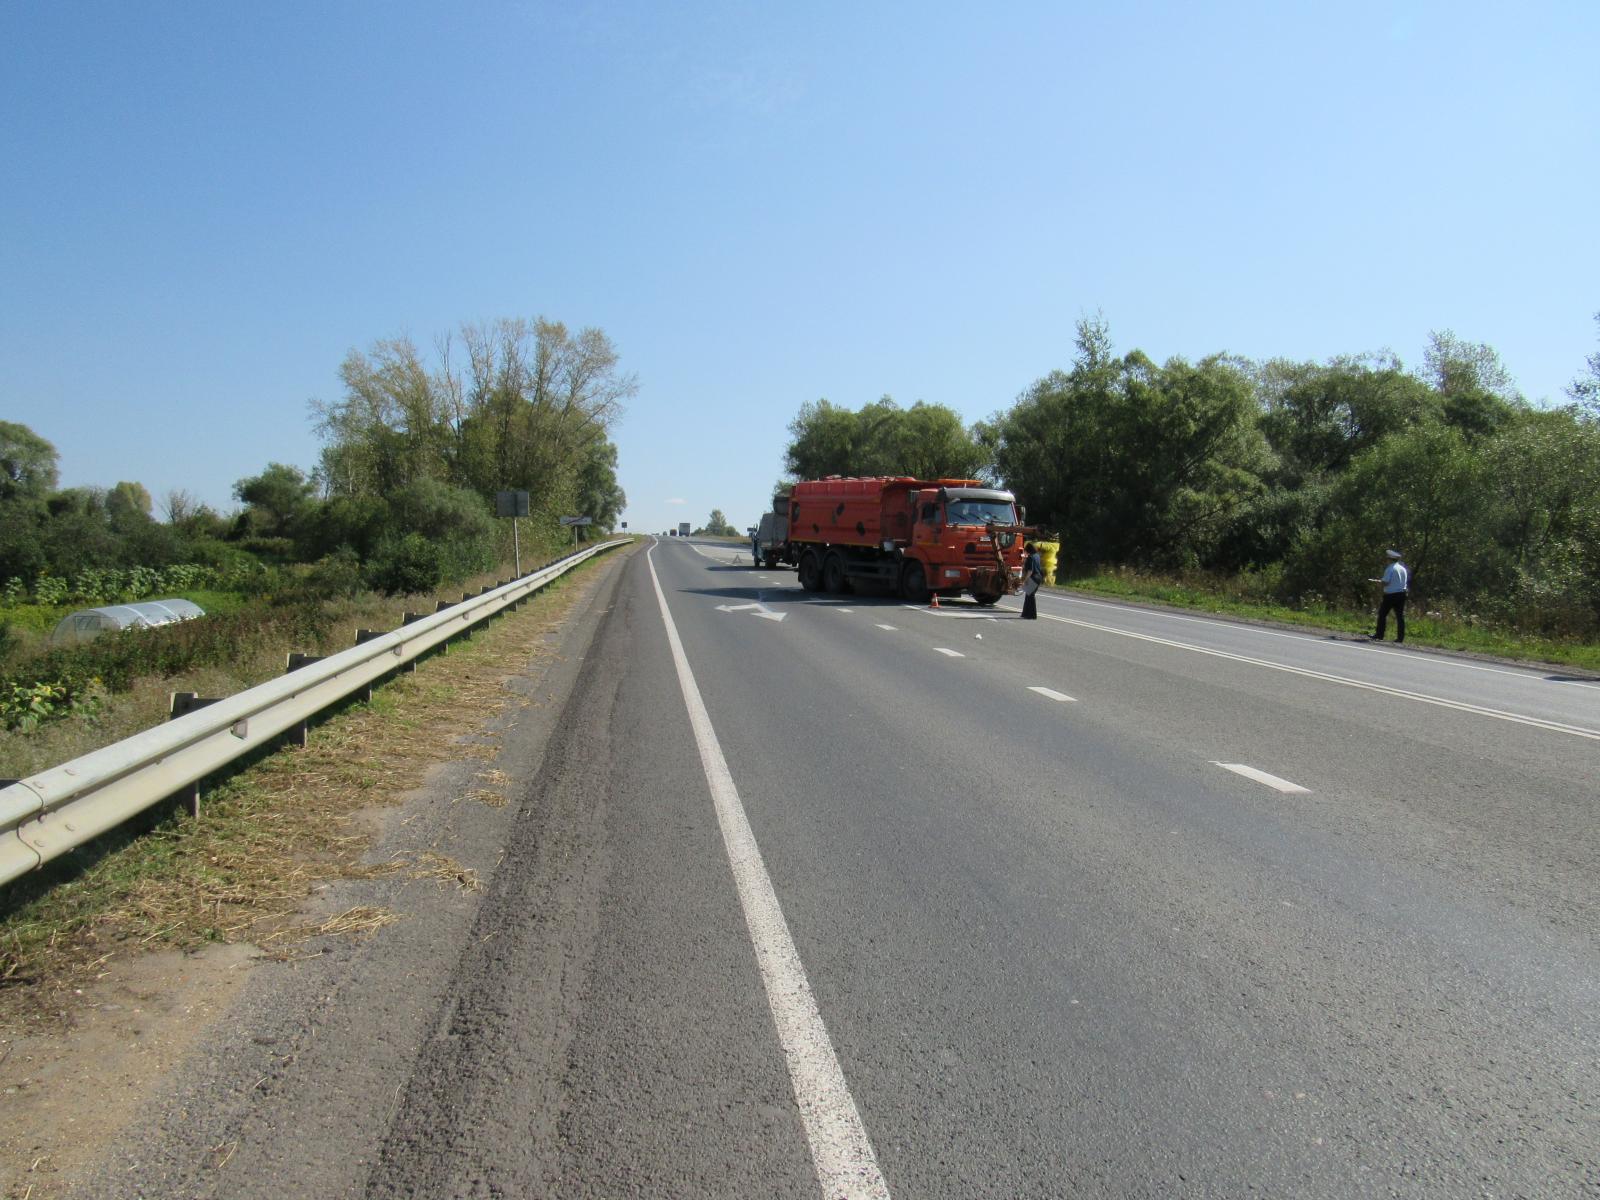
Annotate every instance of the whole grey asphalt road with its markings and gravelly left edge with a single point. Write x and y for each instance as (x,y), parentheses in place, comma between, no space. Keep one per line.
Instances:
(815,895)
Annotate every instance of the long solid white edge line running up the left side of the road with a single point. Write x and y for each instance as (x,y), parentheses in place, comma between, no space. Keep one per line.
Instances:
(841,1151)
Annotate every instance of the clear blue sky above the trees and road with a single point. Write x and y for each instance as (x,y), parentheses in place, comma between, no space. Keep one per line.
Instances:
(206,206)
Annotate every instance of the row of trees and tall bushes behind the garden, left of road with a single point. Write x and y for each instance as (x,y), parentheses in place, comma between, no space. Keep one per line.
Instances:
(402,497)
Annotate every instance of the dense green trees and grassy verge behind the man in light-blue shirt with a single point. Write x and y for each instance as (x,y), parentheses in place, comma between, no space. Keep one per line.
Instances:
(1276,487)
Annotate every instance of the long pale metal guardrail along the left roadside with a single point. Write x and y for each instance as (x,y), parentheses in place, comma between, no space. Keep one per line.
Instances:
(62,809)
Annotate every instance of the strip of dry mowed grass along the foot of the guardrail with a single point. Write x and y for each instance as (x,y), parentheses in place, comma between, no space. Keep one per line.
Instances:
(274,833)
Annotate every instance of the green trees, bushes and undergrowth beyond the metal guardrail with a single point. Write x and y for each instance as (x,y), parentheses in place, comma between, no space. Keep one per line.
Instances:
(401,505)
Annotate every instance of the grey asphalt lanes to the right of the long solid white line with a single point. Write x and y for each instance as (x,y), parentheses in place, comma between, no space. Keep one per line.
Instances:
(1132,903)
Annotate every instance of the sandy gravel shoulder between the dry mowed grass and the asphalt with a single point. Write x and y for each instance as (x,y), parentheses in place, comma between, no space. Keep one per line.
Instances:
(202,1044)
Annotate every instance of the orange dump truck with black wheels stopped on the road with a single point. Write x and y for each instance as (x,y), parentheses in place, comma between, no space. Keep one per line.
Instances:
(916,537)
